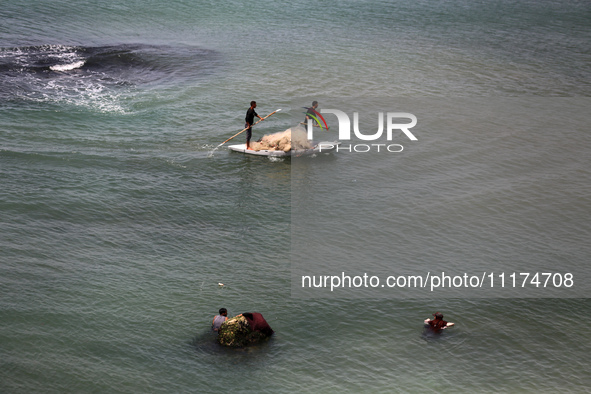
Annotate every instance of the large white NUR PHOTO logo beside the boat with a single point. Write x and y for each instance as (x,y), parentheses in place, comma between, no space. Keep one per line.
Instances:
(393,123)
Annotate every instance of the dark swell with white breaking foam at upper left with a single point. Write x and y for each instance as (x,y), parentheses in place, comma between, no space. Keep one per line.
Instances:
(96,77)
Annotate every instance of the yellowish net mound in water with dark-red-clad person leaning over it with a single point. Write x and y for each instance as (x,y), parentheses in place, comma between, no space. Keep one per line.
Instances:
(243,330)
